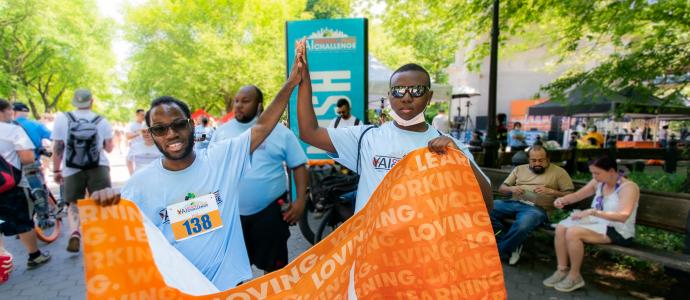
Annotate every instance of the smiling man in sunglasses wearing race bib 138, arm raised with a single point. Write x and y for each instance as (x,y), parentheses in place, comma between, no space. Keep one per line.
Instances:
(210,176)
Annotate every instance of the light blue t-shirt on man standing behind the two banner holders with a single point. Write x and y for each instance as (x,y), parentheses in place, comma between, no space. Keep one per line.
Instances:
(266,180)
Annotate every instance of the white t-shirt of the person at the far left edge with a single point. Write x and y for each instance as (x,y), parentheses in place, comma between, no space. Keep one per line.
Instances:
(12,139)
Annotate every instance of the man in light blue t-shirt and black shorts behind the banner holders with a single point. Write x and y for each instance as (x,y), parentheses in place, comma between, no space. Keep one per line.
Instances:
(264,227)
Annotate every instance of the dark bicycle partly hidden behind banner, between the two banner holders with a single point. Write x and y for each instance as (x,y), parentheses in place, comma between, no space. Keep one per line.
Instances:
(329,202)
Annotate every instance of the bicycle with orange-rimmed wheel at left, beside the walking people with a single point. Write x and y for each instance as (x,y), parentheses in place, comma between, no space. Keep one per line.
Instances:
(46,212)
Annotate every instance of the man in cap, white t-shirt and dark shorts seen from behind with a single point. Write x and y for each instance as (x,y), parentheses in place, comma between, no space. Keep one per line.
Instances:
(77,180)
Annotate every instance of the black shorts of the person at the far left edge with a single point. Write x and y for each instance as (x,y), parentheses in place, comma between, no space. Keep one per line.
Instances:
(14,211)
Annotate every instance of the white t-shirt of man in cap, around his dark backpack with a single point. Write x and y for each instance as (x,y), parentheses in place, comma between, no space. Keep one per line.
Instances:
(105,132)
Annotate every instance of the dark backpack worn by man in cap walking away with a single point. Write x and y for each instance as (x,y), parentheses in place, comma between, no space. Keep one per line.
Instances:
(82,151)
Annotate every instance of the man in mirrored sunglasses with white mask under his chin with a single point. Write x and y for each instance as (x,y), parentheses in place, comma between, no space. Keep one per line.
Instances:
(382,147)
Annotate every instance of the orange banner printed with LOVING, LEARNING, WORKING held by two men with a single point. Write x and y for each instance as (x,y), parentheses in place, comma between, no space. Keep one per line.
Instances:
(425,235)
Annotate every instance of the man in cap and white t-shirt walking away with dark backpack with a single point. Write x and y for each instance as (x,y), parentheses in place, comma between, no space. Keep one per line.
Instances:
(78,168)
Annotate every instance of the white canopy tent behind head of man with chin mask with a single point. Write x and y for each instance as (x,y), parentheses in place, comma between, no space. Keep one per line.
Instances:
(379,76)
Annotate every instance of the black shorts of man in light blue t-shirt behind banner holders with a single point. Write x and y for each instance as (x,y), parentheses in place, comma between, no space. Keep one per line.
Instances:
(266,235)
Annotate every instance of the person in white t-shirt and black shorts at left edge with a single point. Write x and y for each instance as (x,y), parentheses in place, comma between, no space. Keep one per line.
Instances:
(17,149)
